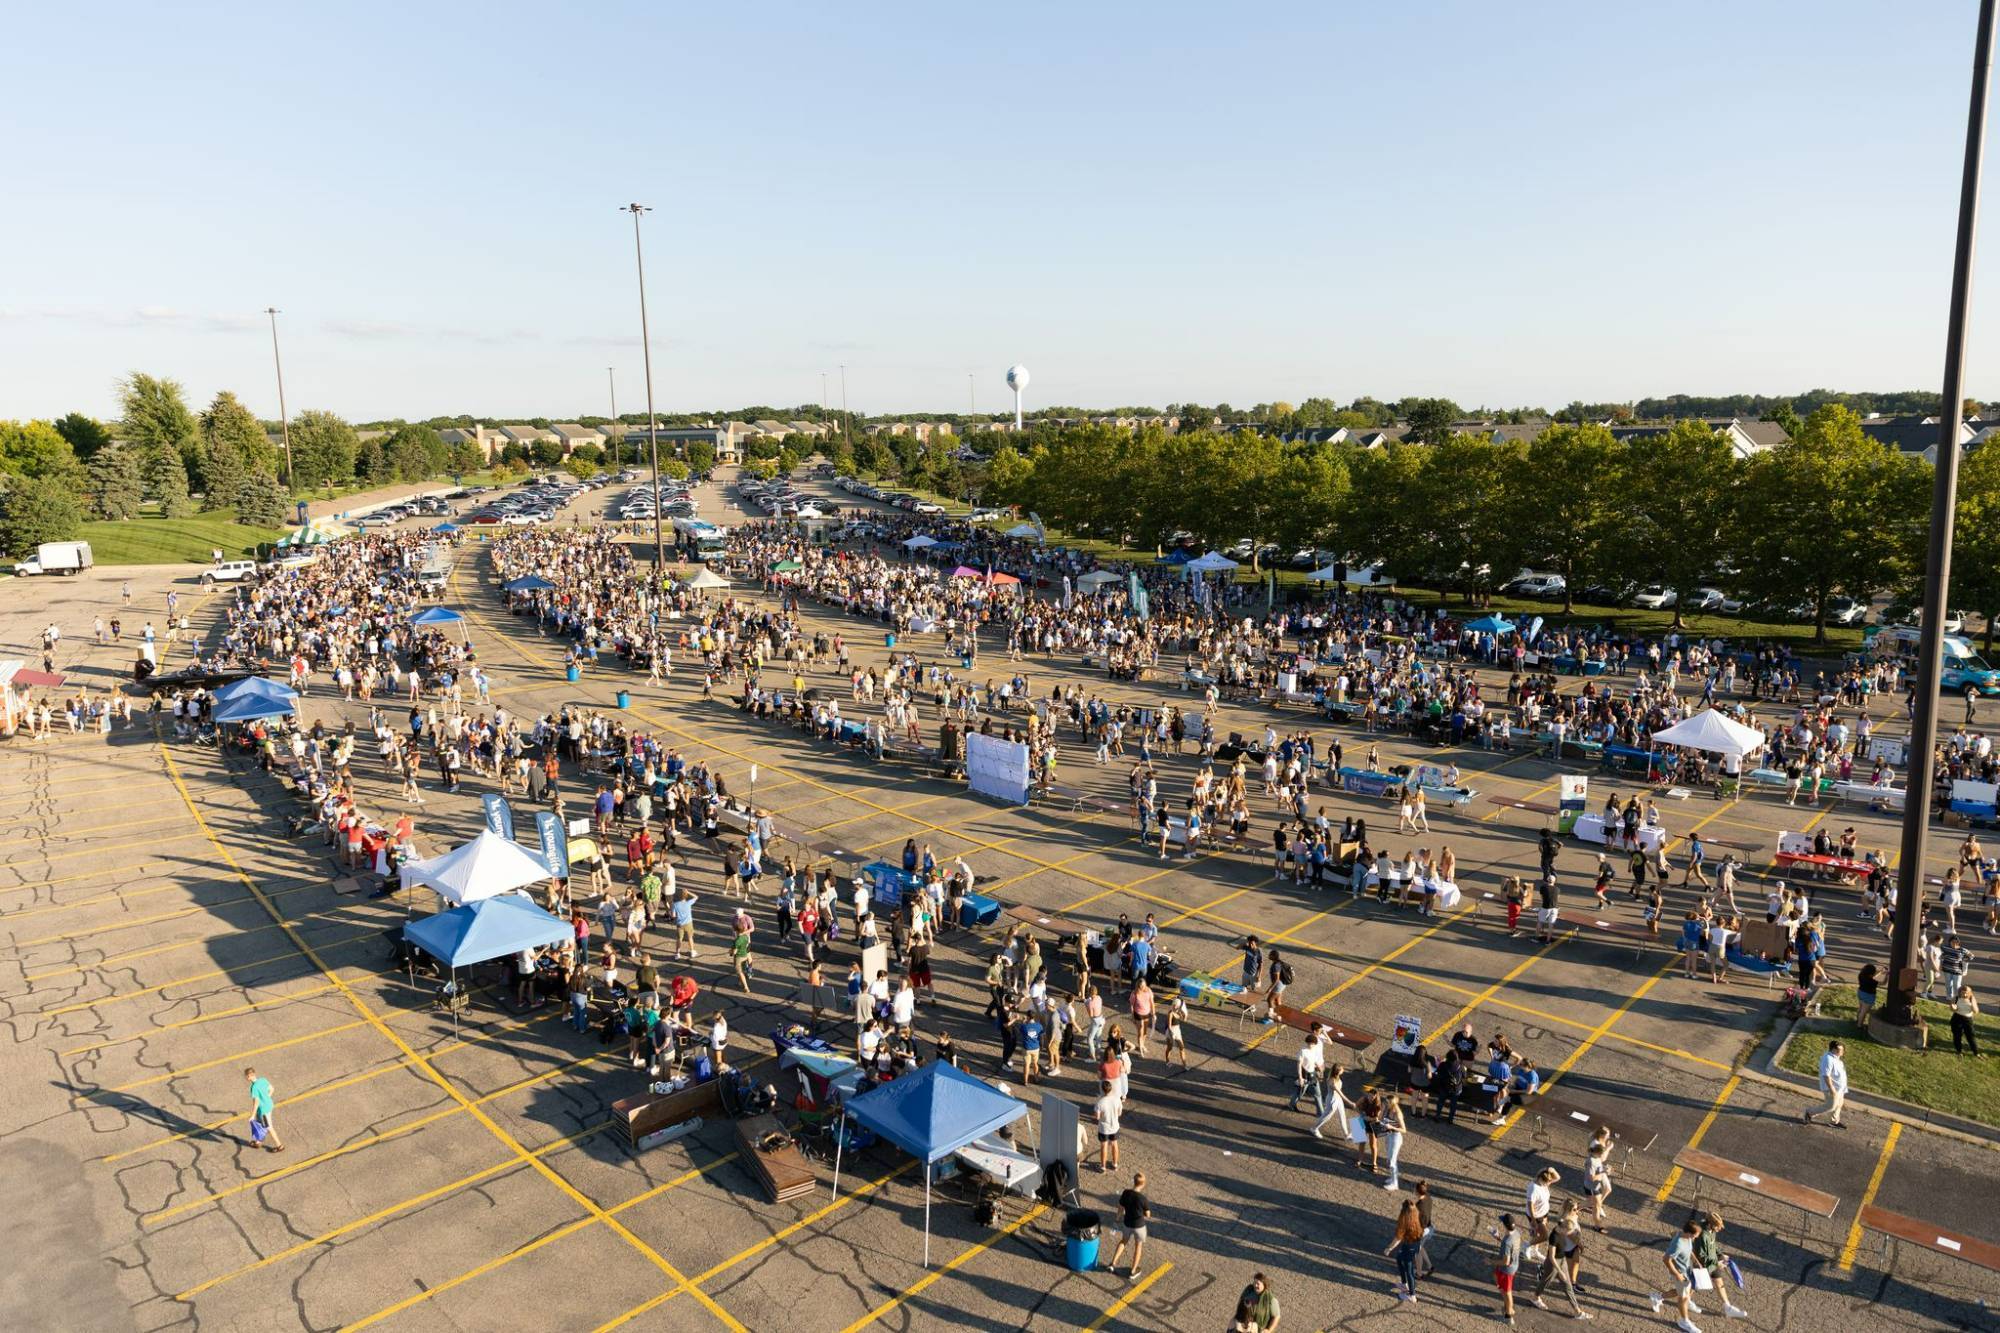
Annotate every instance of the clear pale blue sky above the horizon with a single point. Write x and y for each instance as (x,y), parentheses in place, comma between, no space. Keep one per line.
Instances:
(1145,203)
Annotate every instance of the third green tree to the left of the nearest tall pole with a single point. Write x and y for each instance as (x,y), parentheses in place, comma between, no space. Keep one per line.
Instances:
(1565,503)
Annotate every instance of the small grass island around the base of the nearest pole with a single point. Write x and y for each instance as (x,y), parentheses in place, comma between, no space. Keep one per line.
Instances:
(1937,1080)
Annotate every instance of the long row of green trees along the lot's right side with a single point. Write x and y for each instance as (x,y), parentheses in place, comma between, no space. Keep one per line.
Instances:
(1829,513)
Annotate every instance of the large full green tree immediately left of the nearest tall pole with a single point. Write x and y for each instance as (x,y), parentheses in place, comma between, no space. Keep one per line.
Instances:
(1831,511)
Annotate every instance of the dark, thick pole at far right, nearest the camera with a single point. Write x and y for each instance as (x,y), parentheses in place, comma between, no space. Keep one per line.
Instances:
(1903,978)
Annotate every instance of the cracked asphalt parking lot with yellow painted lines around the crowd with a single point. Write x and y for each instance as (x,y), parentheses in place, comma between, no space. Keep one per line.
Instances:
(159,932)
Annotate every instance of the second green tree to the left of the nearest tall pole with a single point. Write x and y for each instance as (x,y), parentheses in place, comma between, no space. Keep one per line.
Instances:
(1679,495)
